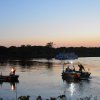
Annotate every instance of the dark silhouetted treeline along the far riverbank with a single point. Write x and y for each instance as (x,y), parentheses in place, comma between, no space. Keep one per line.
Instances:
(29,52)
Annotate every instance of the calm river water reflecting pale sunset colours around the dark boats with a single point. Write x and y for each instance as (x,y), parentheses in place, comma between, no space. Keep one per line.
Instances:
(43,77)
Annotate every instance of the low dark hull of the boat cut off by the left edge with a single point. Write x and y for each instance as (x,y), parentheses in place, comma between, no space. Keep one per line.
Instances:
(9,78)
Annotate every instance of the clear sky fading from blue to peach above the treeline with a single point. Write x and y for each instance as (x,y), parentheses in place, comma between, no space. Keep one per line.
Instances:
(68,23)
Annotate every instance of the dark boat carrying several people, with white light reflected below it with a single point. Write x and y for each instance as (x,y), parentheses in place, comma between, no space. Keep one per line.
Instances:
(70,73)
